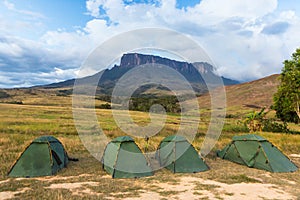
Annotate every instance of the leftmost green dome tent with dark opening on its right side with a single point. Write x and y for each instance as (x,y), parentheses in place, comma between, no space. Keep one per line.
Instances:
(43,157)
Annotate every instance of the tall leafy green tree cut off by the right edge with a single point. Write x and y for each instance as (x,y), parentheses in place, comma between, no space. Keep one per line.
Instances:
(287,98)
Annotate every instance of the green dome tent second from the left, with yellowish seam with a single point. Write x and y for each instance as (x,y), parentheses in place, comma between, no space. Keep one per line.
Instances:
(122,158)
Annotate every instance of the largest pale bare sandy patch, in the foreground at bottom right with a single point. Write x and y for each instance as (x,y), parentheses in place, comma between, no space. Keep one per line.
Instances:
(196,188)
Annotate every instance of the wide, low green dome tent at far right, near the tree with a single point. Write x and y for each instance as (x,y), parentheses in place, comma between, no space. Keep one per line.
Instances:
(255,151)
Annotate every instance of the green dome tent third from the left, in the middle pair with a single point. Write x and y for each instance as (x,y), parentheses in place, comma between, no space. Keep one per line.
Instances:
(178,155)
